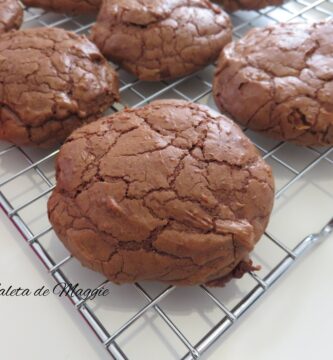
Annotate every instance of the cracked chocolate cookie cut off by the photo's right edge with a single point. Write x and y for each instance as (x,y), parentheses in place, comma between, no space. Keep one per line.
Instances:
(278,80)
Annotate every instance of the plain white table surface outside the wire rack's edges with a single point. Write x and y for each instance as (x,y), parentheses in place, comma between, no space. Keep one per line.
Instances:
(293,321)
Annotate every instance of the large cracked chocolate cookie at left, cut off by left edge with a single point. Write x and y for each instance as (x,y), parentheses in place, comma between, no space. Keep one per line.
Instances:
(51,82)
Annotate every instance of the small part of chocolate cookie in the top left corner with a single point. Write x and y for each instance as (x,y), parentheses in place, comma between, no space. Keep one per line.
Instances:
(11,15)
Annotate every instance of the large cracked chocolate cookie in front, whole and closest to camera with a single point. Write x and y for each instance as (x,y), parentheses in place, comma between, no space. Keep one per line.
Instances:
(171,192)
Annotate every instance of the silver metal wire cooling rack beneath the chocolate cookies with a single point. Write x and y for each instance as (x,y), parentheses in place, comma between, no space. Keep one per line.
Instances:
(181,322)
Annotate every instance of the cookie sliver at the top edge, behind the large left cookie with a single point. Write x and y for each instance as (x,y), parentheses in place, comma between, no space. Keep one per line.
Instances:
(72,6)
